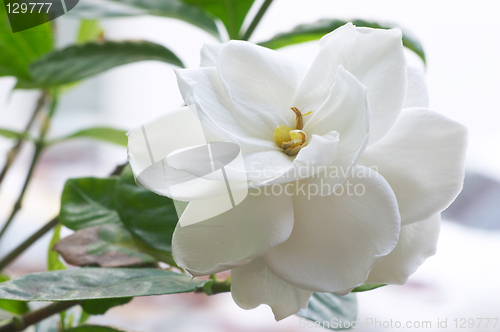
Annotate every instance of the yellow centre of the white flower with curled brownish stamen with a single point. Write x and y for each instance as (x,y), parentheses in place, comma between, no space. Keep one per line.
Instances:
(291,140)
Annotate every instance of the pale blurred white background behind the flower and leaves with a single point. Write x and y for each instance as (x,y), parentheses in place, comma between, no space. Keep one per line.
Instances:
(463,72)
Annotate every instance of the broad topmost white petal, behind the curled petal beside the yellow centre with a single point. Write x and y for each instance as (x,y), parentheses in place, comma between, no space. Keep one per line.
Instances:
(375,57)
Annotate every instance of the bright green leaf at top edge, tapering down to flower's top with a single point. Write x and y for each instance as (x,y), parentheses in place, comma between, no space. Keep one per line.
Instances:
(231,12)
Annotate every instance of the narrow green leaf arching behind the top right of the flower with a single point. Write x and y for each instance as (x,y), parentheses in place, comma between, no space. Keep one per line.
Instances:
(314,31)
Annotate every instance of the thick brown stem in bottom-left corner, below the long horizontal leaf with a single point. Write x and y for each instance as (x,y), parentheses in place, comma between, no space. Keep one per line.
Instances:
(31,318)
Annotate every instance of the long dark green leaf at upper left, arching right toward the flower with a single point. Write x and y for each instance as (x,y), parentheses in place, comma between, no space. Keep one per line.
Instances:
(77,62)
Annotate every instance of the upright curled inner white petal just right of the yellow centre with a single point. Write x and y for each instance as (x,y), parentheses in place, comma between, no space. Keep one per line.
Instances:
(345,111)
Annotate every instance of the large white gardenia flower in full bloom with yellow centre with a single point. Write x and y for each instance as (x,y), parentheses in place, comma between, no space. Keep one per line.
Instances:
(357,117)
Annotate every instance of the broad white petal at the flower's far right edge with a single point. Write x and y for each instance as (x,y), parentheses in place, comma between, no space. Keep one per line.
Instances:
(422,158)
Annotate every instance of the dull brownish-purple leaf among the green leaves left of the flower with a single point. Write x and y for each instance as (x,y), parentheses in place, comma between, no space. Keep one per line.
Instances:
(109,245)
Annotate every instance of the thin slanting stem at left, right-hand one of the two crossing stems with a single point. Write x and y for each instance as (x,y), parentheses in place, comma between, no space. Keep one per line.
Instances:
(39,146)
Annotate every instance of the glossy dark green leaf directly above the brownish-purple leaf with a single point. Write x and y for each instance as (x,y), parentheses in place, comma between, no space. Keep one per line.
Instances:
(87,202)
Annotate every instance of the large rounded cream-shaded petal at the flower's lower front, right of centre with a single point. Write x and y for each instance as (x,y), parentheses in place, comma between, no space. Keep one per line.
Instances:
(337,239)
